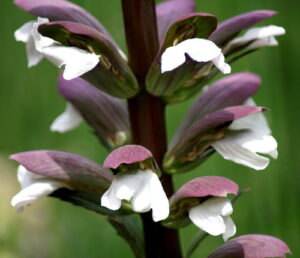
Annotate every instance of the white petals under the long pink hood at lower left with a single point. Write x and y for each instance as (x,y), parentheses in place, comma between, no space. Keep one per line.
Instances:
(34,187)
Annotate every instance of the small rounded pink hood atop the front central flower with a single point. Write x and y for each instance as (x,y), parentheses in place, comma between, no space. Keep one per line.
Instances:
(127,154)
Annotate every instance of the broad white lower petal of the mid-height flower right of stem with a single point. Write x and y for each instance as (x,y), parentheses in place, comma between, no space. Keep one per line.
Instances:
(241,147)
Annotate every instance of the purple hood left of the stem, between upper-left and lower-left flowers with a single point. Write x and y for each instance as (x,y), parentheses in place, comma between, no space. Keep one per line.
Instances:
(108,116)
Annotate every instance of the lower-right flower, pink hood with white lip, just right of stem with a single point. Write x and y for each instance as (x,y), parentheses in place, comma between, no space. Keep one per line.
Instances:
(204,201)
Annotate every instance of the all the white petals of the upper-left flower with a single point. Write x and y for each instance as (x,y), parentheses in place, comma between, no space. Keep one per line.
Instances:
(76,61)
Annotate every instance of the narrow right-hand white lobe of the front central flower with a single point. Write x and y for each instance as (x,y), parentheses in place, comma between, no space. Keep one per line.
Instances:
(160,202)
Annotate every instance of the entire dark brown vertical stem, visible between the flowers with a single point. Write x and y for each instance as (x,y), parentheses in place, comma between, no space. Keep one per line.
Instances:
(147,116)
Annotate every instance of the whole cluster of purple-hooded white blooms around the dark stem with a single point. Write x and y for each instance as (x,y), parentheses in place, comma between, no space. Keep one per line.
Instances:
(96,78)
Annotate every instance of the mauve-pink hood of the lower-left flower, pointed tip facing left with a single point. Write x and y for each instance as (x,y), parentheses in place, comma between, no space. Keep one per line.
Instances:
(74,170)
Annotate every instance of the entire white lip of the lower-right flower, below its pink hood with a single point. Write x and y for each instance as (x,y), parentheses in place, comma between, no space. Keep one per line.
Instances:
(212,216)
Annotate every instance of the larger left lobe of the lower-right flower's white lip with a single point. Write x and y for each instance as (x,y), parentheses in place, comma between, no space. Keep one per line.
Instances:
(207,215)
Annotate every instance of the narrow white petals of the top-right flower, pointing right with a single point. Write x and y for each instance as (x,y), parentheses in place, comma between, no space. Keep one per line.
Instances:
(260,37)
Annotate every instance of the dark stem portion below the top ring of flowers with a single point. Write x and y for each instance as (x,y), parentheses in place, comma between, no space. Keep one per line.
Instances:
(148,129)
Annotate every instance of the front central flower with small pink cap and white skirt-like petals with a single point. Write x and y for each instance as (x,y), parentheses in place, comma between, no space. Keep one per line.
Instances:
(136,181)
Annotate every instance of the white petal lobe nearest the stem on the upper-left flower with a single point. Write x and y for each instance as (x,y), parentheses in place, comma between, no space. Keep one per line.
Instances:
(76,61)
